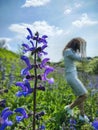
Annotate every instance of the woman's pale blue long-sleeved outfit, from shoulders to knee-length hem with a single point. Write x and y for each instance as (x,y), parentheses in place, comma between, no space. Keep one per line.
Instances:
(77,86)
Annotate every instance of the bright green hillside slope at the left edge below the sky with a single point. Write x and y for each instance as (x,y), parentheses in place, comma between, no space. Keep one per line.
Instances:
(8,54)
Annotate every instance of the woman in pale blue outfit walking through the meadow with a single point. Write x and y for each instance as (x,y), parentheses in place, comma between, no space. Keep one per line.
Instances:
(71,53)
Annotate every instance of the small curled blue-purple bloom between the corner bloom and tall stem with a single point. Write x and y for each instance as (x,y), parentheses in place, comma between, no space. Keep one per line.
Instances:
(23,113)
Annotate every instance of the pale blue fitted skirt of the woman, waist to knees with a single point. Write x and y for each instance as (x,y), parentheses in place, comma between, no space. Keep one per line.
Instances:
(76,85)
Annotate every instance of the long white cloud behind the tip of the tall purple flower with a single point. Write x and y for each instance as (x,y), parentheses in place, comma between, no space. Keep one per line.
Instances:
(41,26)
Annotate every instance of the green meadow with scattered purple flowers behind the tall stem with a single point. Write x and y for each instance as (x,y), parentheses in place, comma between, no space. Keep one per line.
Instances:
(53,99)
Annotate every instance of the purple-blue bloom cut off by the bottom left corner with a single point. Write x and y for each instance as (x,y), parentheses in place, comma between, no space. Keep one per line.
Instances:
(4,118)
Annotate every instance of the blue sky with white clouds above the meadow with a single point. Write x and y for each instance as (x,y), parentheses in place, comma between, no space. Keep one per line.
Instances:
(61,20)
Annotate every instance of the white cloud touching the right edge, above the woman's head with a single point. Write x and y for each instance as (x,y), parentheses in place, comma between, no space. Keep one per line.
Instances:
(84,20)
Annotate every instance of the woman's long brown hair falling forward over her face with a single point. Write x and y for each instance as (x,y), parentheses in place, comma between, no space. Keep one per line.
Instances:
(77,44)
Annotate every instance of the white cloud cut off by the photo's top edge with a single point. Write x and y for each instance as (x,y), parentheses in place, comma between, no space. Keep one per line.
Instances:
(35,3)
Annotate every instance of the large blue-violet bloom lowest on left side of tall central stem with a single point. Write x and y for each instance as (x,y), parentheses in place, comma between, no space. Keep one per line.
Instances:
(26,89)
